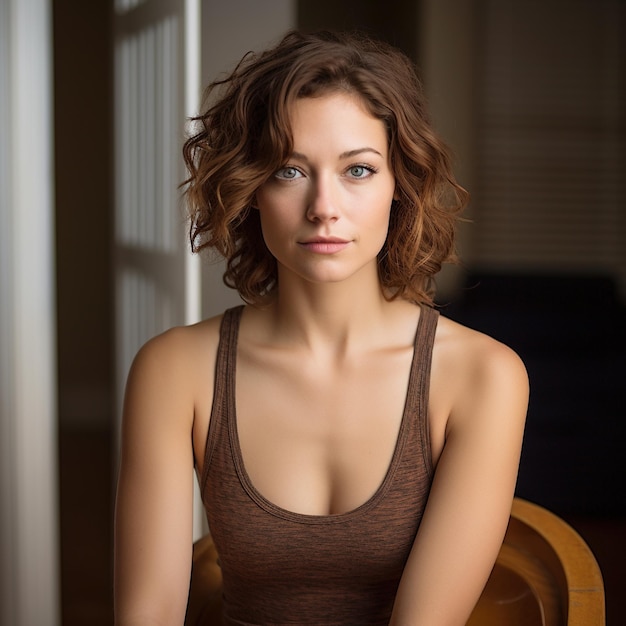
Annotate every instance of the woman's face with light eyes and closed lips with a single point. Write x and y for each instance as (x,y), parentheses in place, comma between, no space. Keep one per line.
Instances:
(325,213)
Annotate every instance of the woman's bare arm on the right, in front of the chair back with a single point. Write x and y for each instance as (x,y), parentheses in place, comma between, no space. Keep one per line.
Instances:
(470,501)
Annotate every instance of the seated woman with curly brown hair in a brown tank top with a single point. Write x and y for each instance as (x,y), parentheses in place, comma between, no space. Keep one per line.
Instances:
(357,452)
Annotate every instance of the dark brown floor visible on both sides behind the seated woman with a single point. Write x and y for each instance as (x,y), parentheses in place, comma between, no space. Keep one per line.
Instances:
(86,477)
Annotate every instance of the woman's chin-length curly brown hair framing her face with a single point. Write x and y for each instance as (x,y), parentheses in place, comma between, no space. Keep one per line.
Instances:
(244,136)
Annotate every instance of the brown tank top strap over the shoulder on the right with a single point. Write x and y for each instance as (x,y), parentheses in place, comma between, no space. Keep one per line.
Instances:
(419,379)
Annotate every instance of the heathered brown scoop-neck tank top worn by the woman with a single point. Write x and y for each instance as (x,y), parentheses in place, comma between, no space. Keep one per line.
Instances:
(281,567)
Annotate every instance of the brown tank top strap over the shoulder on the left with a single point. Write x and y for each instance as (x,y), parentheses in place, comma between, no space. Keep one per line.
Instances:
(224,386)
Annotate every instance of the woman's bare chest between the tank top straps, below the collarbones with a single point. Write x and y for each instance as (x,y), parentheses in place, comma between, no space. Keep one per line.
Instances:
(315,438)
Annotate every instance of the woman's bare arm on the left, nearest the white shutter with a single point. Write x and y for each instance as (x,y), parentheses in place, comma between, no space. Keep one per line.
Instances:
(153,518)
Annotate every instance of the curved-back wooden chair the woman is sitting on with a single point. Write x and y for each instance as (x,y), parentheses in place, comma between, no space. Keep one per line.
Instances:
(545,575)
